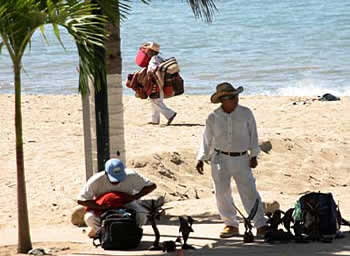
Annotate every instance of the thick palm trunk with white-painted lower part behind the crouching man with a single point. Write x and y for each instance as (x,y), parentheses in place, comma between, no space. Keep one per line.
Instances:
(115,91)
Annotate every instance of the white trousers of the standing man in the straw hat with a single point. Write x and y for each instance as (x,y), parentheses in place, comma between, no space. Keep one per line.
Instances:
(223,168)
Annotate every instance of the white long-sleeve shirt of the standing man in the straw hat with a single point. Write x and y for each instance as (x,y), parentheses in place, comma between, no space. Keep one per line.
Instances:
(229,132)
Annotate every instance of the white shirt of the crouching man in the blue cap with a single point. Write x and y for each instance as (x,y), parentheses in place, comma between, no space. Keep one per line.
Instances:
(98,184)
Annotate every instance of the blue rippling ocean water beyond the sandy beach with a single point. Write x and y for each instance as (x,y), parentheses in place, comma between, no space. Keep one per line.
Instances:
(269,47)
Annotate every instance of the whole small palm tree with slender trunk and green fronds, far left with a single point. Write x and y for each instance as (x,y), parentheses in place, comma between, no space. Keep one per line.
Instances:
(19,19)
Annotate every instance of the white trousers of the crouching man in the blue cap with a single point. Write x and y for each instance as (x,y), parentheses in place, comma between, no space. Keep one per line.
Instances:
(94,221)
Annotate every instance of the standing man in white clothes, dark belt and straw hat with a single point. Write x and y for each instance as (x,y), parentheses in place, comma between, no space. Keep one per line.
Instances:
(230,143)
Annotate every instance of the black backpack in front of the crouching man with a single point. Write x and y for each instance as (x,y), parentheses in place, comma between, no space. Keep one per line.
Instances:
(119,230)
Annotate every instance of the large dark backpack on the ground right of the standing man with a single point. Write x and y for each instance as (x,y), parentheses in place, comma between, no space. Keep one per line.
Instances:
(319,216)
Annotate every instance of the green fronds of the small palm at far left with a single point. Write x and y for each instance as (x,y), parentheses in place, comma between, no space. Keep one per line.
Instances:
(19,19)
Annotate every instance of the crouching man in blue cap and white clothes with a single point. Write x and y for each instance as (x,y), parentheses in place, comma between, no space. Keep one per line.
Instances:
(115,178)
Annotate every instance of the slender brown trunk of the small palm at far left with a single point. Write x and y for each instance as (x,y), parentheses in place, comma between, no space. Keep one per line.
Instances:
(24,241)
